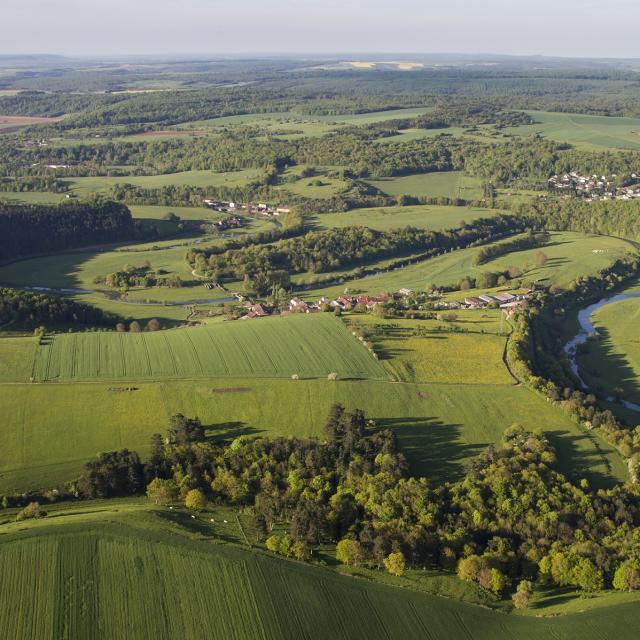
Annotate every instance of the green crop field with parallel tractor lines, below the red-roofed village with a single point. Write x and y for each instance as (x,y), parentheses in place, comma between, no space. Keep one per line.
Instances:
(309,346)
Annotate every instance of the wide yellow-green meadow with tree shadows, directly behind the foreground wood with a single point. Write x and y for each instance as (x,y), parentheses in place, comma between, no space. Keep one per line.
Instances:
(48,431)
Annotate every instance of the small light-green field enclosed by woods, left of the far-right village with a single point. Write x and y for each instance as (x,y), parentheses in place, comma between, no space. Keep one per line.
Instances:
(449,184)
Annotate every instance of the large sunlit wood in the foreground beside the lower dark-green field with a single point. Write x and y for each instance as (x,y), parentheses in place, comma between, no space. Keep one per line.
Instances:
(512,517)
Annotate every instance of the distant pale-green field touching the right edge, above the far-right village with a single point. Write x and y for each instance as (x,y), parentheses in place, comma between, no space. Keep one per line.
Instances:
(583,131)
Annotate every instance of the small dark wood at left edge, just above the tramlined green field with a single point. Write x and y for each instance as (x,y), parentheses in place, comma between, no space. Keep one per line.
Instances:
(28,308)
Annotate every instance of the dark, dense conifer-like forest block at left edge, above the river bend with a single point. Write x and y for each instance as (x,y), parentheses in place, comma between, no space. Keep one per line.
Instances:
(33,229)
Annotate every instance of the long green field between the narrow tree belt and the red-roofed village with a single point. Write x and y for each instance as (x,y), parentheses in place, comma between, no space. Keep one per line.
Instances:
(569,255)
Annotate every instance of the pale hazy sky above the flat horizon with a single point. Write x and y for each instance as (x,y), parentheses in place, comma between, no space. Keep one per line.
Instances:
(558,27)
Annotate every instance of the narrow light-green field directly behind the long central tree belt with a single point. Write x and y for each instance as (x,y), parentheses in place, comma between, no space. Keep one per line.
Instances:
(387,218)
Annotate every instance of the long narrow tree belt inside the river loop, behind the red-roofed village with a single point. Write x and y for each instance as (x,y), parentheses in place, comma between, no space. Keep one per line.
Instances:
(325,251)
